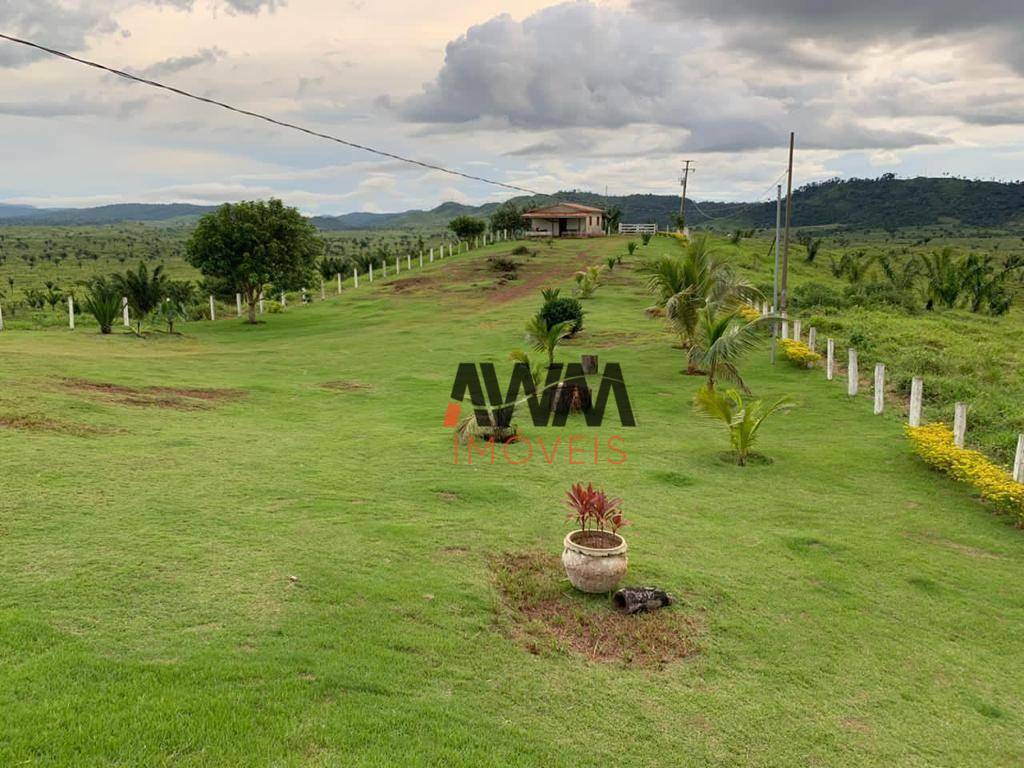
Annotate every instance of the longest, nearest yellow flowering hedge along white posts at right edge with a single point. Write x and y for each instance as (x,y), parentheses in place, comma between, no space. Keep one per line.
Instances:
(934,444)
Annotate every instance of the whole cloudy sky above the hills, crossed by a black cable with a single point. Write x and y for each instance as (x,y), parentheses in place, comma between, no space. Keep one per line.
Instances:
(588,95)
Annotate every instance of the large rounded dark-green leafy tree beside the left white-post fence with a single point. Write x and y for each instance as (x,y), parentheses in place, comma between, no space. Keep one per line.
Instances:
(253,244)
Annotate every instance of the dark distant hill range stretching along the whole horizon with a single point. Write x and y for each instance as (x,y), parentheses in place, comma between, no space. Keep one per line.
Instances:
(881,203)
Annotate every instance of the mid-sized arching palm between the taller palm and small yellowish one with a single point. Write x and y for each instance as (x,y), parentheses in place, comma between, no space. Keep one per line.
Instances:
(721,340)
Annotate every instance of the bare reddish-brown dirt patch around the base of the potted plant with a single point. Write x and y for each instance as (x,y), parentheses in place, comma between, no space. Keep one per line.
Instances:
(545,614)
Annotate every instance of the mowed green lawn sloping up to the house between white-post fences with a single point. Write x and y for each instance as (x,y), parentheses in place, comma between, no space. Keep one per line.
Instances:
(300,576)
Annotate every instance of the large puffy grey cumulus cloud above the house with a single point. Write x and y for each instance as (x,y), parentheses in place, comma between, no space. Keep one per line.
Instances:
(545,74)
